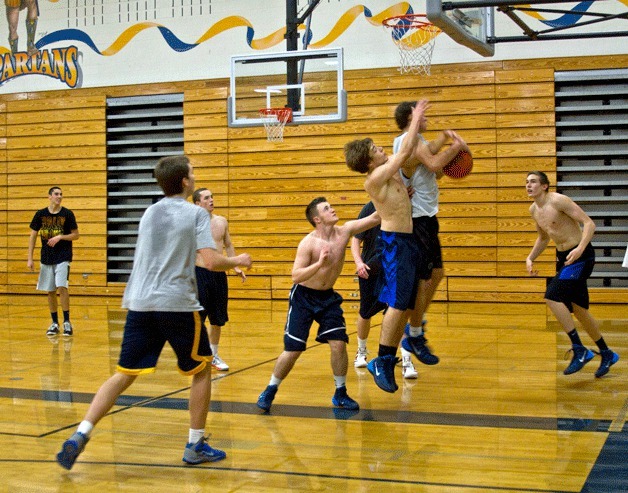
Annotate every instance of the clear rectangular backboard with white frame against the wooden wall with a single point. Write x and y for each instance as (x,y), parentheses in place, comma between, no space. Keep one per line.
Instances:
(308,81)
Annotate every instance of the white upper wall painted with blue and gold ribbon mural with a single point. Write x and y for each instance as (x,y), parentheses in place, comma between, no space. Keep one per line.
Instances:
(70,54)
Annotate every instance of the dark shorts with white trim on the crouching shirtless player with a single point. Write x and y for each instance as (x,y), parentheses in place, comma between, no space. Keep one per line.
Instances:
(308,305)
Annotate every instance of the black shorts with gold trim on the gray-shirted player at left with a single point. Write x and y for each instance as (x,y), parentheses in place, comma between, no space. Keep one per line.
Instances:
(146,333)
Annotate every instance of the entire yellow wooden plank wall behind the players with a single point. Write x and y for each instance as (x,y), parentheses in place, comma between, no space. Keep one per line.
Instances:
(504,109)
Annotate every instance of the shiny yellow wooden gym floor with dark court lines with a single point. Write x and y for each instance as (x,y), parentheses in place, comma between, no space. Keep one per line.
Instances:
(495,416)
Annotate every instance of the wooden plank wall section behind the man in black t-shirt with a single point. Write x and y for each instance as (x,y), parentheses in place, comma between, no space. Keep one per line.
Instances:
(57,141)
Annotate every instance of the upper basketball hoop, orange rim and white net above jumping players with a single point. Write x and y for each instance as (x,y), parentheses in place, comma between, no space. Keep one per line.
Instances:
(414,36)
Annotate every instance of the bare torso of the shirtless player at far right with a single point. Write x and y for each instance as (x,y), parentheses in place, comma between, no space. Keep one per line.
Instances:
(558,217)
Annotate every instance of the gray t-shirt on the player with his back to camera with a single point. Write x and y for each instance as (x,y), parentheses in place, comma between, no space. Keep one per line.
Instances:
(163,277)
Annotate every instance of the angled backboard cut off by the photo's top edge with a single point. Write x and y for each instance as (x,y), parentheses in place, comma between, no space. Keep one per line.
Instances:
(468,24)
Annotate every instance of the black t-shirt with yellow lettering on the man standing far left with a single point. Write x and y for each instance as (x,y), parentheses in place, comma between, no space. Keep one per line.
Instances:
(50,225)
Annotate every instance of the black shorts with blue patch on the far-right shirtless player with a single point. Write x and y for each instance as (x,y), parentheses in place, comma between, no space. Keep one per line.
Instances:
(570,283)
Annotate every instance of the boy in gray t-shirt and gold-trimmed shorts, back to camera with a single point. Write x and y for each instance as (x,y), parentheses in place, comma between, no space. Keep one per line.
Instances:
(163,307)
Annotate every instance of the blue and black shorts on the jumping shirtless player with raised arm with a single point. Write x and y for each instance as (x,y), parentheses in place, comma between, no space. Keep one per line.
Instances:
(399,254)
